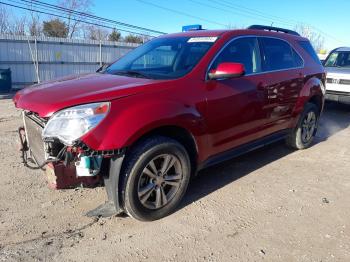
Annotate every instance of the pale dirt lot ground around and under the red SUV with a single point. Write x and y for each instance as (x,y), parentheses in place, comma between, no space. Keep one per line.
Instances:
(273,205)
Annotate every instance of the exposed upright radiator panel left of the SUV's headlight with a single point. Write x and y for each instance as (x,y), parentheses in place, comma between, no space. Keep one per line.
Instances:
(34,126)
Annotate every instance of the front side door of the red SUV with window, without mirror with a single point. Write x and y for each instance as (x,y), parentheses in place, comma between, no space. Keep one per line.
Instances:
(237,110)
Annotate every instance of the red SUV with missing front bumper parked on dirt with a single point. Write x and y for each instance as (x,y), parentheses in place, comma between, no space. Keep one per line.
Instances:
(173,106)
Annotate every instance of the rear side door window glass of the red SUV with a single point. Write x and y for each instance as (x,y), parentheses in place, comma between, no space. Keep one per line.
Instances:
(278,55)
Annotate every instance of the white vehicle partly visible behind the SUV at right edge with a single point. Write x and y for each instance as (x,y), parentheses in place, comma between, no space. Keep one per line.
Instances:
(337,66)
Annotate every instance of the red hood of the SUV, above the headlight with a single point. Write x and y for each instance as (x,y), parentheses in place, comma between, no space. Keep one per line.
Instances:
(49,97)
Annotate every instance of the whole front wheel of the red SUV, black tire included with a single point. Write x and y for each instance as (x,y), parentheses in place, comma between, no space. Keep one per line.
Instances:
(153,149)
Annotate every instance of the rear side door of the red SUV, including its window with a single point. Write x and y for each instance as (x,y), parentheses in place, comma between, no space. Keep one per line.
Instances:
(282,81)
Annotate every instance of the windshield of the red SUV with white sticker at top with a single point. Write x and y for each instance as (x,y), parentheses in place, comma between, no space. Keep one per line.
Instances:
(163,58)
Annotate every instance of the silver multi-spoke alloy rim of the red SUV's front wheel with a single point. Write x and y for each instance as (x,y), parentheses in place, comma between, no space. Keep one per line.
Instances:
(160,181)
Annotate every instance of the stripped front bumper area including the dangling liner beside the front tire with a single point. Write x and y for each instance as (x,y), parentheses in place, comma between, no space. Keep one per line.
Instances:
(72,166)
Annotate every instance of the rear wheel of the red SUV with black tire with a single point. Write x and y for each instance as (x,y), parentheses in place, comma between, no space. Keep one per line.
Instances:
(297,139)
